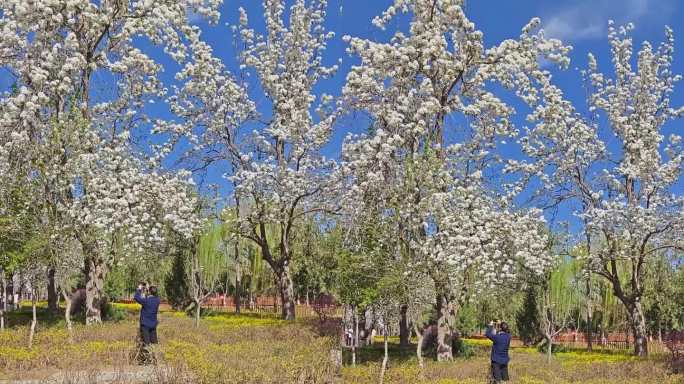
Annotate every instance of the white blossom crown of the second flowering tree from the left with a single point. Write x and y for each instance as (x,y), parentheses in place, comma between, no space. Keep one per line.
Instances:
(276,167)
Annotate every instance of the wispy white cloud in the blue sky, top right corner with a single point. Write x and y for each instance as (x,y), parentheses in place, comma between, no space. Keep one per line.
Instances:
(588,19)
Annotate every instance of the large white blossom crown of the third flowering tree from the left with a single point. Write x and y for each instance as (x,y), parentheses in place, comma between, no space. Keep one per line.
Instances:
(410,171)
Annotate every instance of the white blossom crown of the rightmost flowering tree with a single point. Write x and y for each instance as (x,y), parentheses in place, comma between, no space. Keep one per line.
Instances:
(622,172)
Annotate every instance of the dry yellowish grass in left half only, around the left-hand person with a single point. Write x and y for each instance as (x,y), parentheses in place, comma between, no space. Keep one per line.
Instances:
(225,348)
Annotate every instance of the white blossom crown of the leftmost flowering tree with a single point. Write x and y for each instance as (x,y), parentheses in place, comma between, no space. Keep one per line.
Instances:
(72,132)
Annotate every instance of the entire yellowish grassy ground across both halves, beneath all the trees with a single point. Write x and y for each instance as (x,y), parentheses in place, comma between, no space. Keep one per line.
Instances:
(259,348)
